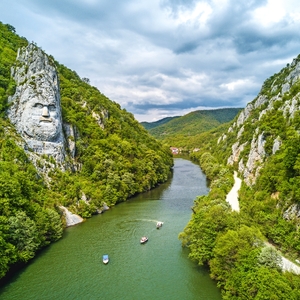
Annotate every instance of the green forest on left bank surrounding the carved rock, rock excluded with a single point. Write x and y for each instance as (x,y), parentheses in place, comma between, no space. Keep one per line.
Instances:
(116,162)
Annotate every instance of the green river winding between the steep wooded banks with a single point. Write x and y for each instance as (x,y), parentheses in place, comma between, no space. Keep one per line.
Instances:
(72,268)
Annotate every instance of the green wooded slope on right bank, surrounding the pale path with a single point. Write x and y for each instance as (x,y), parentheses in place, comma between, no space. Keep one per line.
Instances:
(236,245)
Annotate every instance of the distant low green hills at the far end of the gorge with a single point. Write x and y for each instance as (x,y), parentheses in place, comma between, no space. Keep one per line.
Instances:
(183,131)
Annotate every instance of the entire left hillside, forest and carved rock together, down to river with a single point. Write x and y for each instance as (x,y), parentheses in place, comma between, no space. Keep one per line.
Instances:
(66,150)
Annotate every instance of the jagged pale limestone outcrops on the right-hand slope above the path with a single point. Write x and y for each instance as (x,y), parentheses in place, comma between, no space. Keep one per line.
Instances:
(250,164)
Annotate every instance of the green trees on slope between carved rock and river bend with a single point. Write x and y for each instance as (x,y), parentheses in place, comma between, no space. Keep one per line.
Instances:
(118,160)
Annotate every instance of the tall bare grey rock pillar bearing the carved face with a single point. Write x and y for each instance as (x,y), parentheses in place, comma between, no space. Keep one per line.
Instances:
(35,107)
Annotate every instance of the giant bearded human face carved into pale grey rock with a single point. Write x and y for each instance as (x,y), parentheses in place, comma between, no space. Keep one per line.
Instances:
(41,115)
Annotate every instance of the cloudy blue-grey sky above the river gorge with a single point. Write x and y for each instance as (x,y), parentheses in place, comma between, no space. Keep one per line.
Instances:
(161,58)
